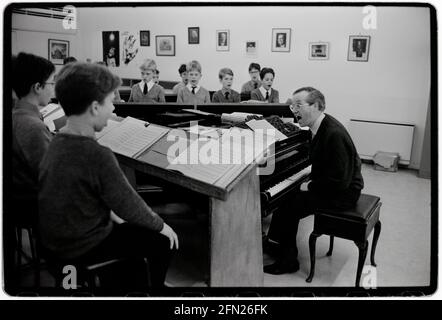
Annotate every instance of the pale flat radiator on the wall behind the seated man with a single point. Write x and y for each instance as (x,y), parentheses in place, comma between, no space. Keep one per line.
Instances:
(370,137)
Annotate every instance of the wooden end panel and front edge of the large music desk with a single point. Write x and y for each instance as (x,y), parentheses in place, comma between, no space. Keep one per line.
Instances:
(236,258)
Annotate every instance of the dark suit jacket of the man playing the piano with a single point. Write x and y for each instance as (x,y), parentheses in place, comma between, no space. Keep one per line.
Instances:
(336,166)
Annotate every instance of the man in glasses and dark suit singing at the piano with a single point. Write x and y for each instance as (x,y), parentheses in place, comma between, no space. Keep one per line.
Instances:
(335,180)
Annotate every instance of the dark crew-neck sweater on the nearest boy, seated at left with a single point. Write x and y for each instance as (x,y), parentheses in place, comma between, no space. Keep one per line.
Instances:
(80,183)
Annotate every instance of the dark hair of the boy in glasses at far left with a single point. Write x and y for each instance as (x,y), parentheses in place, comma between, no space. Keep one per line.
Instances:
(29,69)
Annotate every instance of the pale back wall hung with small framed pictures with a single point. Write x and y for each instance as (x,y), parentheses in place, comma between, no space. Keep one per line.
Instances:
(392,86)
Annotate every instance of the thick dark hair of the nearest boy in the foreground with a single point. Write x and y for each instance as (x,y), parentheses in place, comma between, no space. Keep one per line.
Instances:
(79,84)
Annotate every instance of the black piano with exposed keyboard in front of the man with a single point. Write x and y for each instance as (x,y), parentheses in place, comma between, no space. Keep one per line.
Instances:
(290,161)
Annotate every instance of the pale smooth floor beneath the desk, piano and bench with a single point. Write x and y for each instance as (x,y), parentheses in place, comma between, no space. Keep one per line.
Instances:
(403,251)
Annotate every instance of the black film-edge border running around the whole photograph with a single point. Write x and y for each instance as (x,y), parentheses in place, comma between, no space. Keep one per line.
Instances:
(279,292)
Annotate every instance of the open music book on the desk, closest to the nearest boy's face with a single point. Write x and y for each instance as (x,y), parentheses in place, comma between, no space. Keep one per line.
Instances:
(132,137)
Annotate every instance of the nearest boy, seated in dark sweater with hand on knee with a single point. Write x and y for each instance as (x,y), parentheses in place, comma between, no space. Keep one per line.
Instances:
(81,182)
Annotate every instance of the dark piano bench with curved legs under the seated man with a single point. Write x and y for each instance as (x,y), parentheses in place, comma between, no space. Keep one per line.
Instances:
(354,224)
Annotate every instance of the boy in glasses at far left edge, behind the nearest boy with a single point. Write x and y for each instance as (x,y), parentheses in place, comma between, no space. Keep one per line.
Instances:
(33,83)
